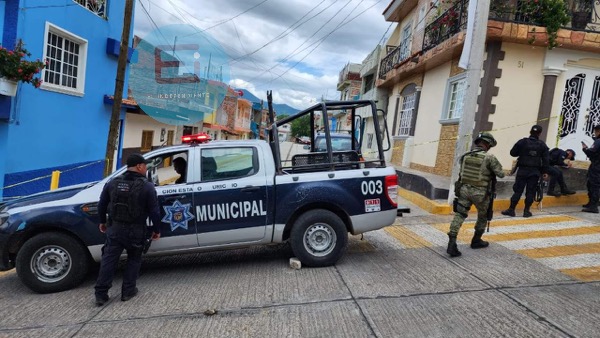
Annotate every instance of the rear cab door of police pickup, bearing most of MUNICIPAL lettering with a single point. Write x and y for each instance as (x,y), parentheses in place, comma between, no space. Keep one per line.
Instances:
(231,199)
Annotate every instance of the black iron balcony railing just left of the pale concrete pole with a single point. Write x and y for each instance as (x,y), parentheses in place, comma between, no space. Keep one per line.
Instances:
(449,23)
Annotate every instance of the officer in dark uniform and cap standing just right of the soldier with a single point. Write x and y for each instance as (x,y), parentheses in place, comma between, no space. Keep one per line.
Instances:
(532,162)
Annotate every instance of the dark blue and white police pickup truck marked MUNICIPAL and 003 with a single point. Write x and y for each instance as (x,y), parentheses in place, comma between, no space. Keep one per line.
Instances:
(235,194)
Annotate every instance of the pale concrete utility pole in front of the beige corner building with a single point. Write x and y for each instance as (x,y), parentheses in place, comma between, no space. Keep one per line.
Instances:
(474,68)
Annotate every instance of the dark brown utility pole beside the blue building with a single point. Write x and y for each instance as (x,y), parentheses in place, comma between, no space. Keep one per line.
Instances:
(111,144)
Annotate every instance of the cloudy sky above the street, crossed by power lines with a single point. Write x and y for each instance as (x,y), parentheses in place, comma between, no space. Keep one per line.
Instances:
(296,48)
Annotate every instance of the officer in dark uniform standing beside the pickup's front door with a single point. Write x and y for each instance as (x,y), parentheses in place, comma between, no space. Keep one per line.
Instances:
(129,200)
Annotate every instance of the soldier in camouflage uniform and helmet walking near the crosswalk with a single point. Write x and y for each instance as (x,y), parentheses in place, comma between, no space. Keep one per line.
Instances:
(477,169)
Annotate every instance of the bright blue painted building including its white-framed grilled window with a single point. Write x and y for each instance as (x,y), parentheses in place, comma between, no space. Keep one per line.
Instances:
(64,124)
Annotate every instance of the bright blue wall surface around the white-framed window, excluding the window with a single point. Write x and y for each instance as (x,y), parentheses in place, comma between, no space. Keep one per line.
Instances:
(55,131)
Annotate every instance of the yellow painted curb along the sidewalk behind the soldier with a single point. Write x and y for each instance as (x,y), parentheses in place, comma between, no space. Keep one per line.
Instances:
(435,207)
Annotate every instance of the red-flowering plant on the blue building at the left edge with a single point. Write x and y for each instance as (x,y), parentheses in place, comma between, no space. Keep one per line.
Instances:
(14,67)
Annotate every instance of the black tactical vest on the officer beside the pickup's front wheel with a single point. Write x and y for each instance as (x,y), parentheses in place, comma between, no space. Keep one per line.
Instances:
(125,200)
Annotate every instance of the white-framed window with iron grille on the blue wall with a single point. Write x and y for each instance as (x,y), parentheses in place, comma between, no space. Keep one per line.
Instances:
(66,61)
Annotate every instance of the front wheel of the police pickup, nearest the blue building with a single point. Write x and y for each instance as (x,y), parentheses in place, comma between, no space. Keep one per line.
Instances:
(52,262)
